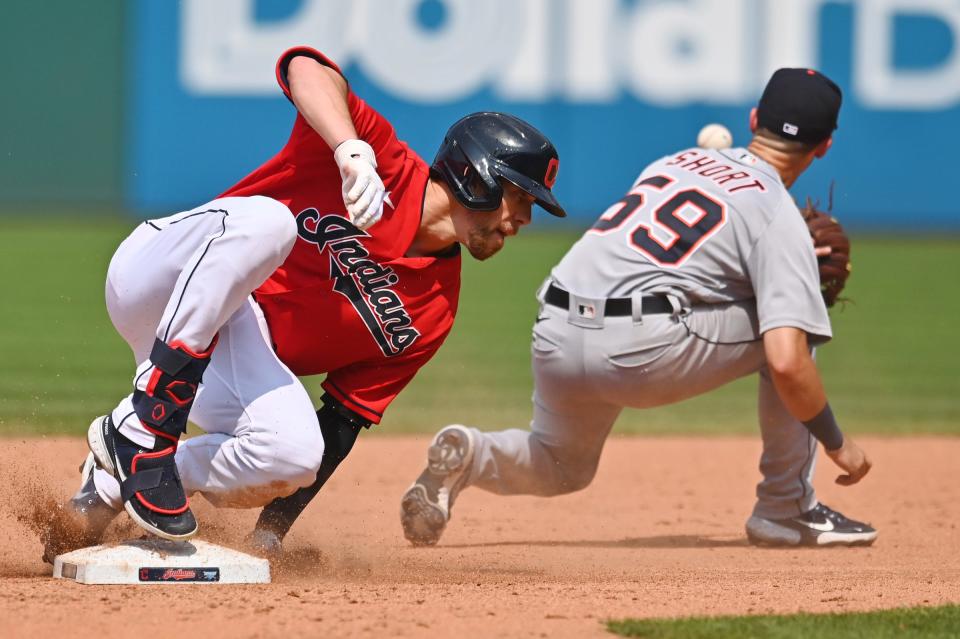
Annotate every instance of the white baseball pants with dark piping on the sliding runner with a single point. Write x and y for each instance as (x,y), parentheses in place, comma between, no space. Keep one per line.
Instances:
(189,277)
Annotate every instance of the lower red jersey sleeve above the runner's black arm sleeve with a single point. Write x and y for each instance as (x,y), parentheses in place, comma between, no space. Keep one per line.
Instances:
(368,388)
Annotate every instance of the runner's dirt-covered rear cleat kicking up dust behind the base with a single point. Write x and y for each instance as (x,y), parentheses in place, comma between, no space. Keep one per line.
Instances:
(80,522)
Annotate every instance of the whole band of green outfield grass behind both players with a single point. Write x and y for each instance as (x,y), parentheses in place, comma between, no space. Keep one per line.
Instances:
(890,369)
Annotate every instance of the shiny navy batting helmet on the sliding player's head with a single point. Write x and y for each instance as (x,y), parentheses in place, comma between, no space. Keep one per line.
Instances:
(483,148)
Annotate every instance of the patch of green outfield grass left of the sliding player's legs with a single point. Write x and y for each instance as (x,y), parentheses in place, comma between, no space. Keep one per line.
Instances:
(61,362)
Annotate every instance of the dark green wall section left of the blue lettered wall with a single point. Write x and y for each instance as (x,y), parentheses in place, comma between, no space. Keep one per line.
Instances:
(61,112)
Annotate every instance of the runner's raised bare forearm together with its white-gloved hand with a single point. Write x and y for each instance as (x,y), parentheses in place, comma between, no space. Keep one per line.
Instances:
(320,94)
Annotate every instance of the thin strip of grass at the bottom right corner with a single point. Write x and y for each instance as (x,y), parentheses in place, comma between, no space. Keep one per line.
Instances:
(902,623)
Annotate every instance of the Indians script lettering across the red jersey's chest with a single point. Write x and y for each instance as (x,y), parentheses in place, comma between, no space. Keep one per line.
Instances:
(361,280)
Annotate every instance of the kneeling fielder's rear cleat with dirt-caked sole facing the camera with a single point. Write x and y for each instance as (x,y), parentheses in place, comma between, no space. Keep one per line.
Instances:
(425,507)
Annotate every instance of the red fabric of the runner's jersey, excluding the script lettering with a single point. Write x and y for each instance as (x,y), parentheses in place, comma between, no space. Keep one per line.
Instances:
(348,302)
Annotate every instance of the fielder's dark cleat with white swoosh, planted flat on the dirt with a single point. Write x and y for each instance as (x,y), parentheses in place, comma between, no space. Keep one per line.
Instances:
(819,526)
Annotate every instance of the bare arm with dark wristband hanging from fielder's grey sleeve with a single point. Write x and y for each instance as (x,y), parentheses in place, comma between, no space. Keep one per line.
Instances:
(797,381)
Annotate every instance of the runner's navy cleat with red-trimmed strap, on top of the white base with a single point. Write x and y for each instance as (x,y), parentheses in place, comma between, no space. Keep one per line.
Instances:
(150,486)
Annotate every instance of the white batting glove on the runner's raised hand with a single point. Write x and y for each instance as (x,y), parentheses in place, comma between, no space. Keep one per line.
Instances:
(363,189)
